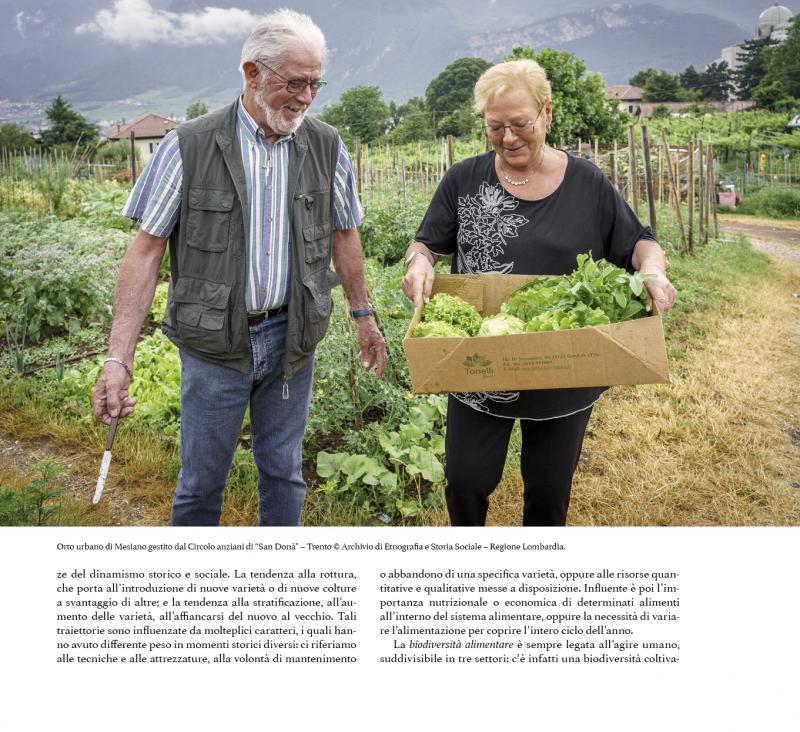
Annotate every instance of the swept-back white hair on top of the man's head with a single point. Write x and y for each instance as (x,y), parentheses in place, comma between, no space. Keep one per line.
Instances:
(278,34)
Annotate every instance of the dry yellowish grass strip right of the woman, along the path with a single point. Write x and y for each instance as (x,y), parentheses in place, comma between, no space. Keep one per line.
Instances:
(718,446)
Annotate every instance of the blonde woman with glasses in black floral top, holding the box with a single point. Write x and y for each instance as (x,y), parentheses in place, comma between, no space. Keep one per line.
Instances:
(523,208)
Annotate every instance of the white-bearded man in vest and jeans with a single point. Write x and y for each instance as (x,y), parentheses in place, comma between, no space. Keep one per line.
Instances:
(255,200)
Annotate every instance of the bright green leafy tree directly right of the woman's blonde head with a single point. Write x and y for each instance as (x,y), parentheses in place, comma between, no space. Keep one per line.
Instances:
(580,107)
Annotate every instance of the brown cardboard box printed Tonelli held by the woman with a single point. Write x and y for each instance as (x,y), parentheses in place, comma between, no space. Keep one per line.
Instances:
(621,353)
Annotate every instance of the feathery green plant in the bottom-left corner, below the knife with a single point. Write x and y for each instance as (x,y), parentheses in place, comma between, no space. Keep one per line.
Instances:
(35,504)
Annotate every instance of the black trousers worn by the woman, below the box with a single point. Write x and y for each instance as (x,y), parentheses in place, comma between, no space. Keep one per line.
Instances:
(476,444)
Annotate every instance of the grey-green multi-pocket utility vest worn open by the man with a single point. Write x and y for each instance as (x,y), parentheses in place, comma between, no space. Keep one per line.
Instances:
(206,313)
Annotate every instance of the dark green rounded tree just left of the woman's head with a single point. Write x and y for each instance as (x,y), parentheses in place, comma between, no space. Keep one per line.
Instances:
(448,97)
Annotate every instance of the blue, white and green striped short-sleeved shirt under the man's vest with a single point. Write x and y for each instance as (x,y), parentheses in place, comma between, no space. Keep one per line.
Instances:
(155,203)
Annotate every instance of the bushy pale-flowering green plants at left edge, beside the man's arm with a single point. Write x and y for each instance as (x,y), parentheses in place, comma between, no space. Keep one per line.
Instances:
(56,276)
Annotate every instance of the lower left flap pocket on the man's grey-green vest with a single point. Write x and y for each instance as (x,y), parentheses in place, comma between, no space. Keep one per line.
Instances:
(201,311)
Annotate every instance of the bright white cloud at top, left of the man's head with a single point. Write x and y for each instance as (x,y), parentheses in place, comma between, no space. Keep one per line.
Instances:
(137,22)
